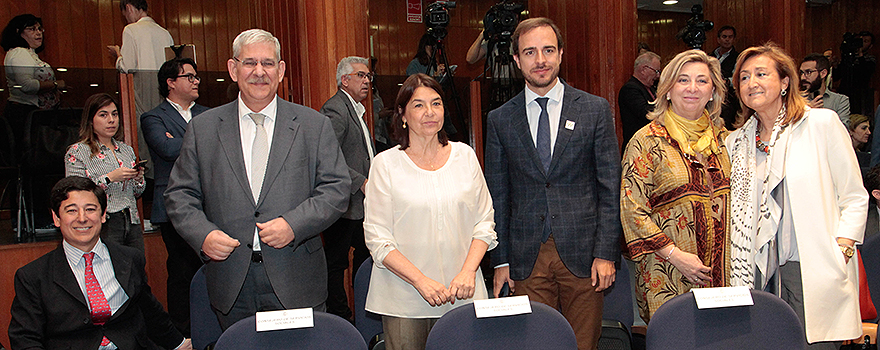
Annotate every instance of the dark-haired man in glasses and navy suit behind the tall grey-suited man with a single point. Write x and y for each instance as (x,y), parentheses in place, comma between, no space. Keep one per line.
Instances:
(163,128)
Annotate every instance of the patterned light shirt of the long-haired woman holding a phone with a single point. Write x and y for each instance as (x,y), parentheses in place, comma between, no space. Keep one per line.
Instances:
(120,195)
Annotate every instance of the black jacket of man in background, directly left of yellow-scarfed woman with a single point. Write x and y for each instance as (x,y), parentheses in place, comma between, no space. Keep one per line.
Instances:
(634,103)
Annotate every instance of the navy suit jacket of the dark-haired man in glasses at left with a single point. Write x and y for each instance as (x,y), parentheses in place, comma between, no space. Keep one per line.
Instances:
(163,150)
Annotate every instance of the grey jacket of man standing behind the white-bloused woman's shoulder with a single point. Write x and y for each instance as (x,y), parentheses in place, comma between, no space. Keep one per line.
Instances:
(350,135)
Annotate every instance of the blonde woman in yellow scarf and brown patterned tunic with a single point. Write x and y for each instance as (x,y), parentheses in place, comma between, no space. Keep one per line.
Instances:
(675,186)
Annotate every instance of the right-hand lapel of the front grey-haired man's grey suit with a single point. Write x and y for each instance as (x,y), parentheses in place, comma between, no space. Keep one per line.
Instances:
(282,141)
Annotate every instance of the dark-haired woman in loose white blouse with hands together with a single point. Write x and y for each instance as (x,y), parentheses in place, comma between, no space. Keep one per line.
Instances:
(428,220)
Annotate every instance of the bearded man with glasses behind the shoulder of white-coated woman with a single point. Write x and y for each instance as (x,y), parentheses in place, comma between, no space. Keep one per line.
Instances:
(814,69)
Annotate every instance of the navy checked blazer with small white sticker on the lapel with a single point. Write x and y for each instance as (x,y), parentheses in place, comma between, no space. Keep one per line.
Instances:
(581,191)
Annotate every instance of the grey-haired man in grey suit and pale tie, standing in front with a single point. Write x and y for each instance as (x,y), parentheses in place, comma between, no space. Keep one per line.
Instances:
(255,183)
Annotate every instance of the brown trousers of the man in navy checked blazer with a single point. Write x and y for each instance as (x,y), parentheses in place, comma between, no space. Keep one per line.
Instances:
(551,283)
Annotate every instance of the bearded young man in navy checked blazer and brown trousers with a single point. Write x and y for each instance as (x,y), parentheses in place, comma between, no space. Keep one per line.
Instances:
(553,169)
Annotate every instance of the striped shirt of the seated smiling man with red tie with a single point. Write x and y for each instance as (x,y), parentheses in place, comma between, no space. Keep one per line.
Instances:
(103,269)
